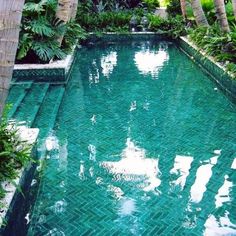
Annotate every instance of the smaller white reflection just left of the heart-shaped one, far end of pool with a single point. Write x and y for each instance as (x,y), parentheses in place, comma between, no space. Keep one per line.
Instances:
(108,63)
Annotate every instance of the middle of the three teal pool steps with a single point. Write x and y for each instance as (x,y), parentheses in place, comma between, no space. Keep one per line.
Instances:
(29,107)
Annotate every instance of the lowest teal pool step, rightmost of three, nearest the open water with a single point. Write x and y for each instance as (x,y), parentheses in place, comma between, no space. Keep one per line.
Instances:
(47,115)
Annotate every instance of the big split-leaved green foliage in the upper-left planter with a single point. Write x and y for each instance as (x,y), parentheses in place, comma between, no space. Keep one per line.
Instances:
(40,31)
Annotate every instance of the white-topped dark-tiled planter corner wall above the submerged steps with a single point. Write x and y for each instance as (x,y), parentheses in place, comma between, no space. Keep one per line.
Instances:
(55,72)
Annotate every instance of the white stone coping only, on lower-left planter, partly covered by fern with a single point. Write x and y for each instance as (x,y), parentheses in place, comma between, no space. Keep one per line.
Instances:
(29,135)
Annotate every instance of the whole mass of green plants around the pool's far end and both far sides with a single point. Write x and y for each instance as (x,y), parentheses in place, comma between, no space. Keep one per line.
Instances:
(40,29)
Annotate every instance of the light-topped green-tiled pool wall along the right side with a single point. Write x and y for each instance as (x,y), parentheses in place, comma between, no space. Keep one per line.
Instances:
(225,80)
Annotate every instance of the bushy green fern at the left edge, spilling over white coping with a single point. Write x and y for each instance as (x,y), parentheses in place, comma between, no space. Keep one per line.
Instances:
(14,153)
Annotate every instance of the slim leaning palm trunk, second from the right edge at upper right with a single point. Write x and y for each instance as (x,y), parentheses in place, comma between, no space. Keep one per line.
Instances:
(221,15)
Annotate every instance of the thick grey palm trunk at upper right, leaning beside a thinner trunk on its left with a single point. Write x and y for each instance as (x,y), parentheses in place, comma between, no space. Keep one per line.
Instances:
(198,13)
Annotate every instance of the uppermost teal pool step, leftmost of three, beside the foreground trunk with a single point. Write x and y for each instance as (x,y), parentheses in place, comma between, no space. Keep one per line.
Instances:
(16,95)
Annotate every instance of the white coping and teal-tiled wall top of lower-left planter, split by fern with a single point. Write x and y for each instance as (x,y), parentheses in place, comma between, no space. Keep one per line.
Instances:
(30,136)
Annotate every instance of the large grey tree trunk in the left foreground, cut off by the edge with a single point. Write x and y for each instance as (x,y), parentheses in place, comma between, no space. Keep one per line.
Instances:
(10,18)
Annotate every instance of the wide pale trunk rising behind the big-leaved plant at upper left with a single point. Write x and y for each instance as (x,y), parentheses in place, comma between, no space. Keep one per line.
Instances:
(63,13)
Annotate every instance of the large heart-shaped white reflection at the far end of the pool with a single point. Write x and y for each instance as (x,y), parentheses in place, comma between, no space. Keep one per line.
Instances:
(149,62)
